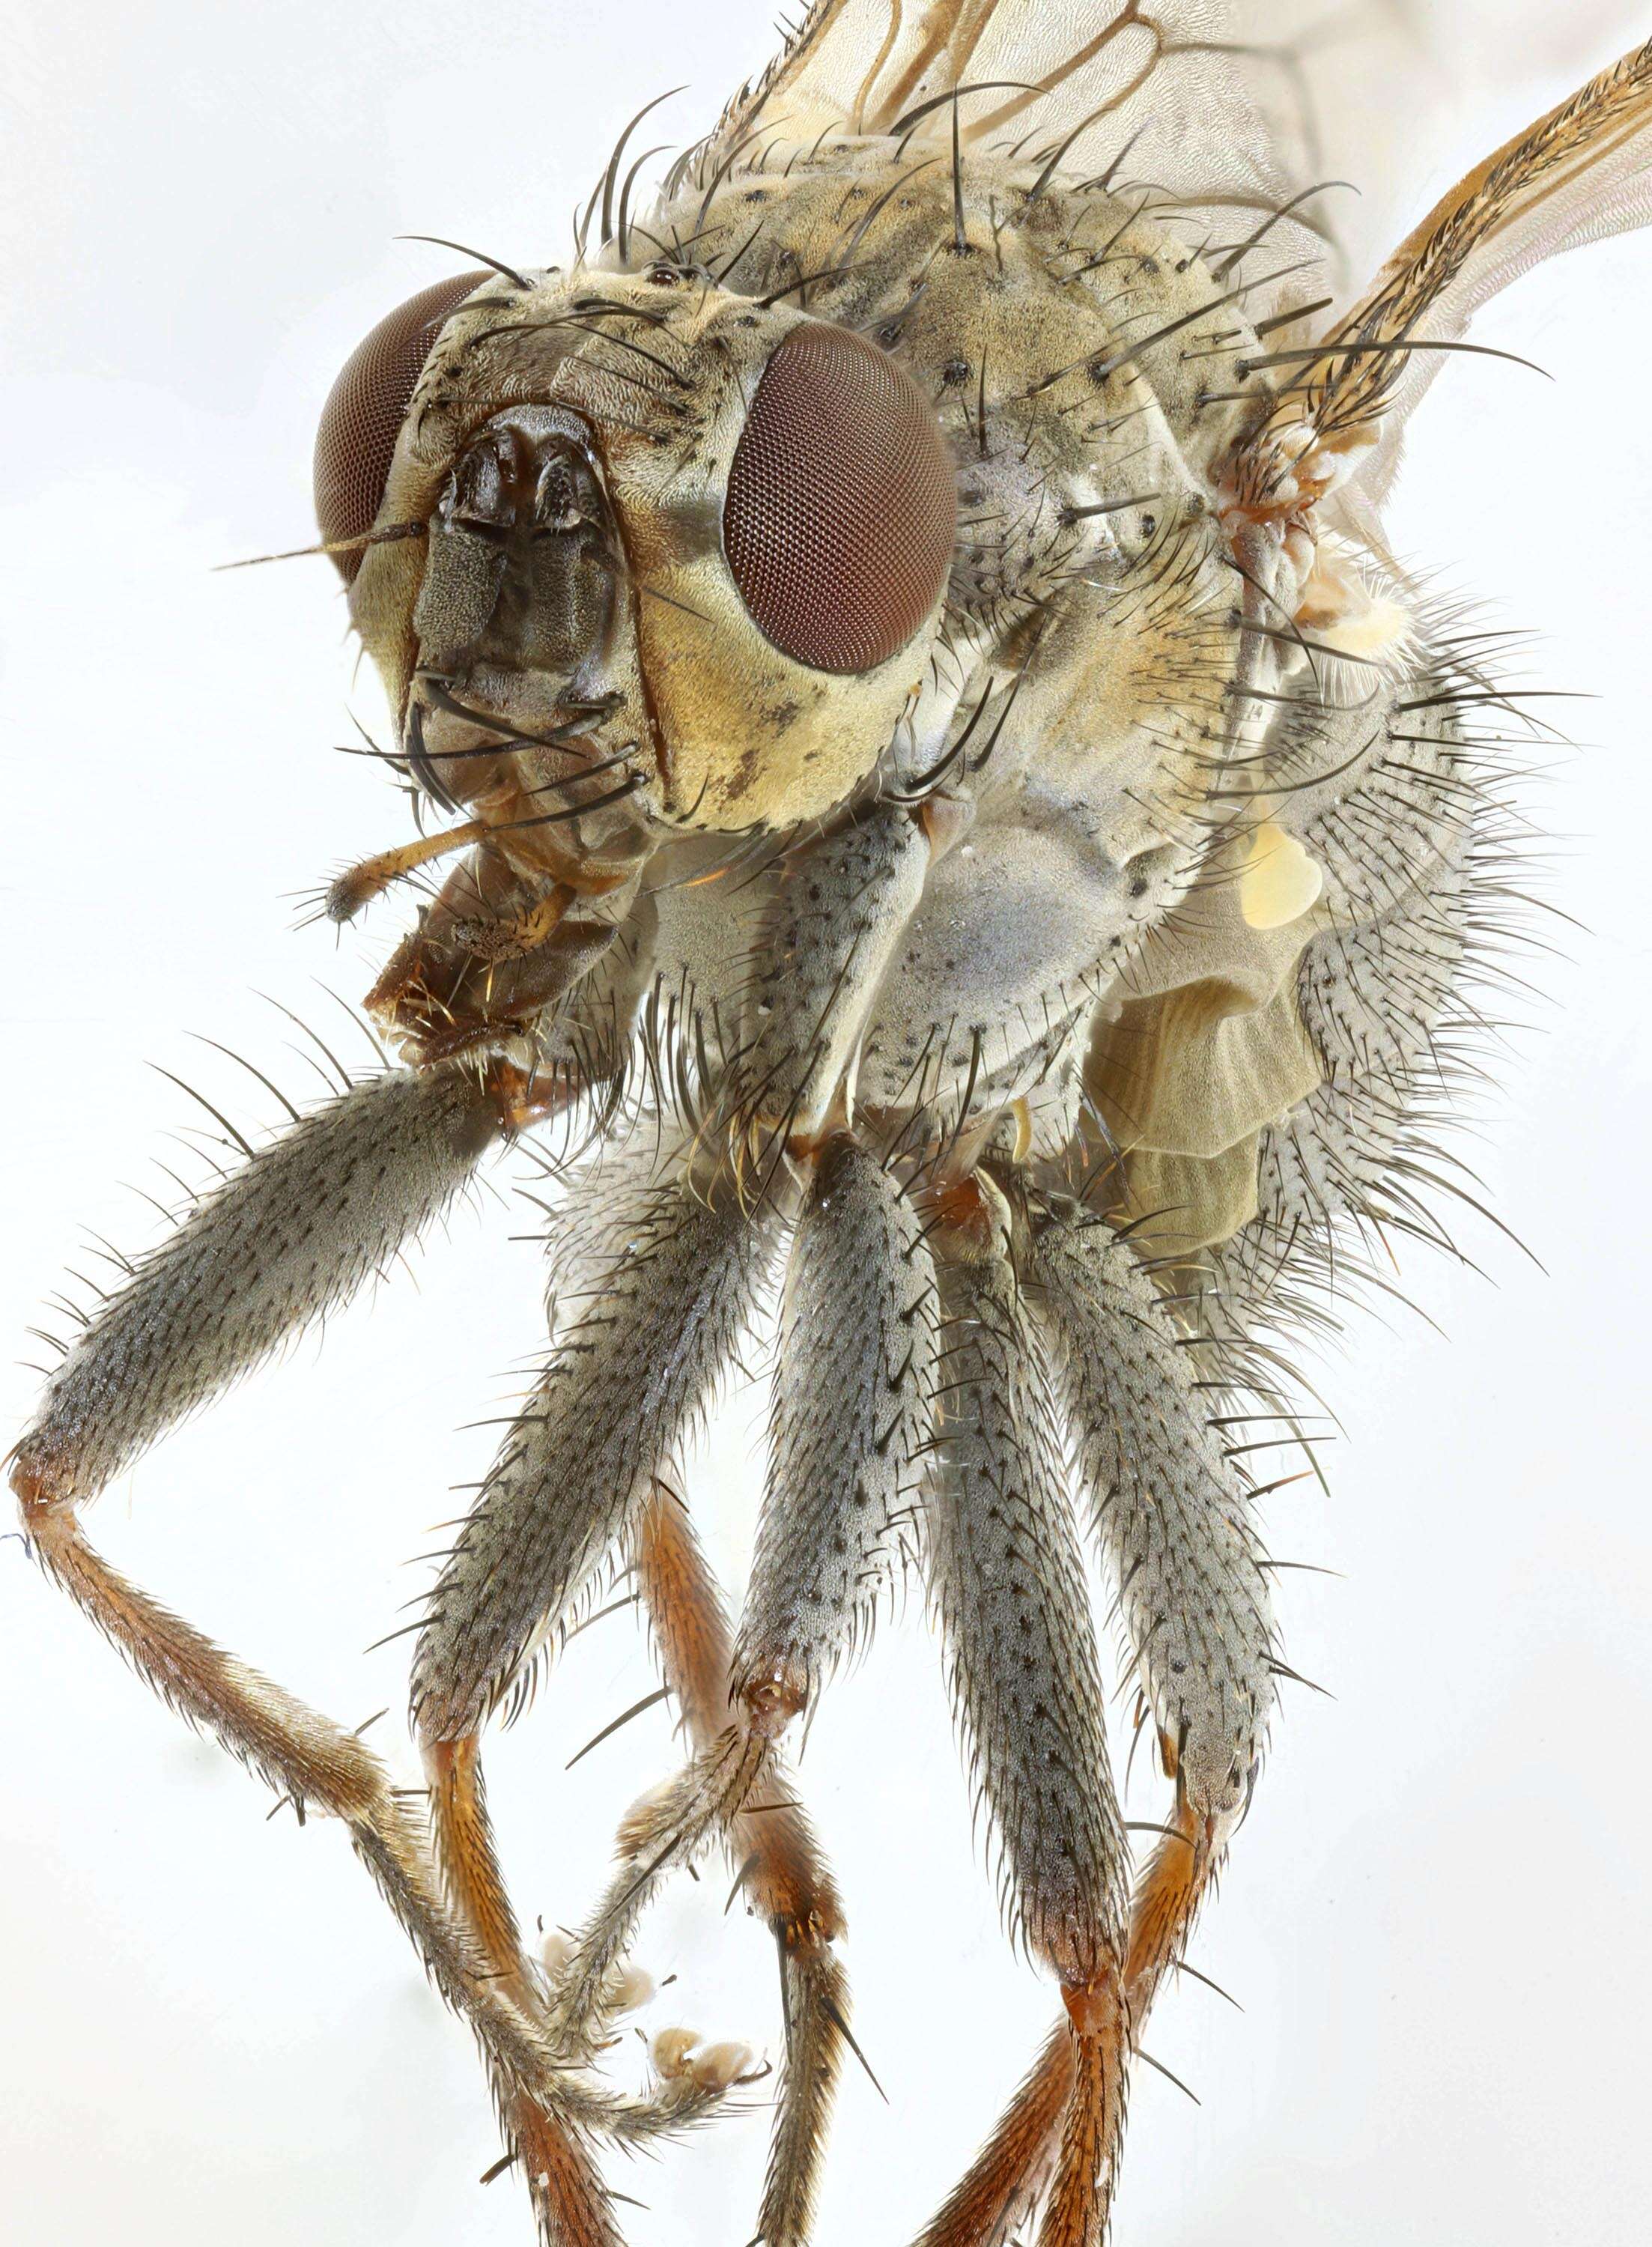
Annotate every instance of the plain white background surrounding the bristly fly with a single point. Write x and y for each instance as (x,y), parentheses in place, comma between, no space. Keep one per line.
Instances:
(212,2028)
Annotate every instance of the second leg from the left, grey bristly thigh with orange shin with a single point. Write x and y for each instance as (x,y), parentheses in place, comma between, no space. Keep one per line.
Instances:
(660,1289)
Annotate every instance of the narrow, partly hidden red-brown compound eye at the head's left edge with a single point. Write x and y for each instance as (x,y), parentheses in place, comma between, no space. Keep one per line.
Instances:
(365,415)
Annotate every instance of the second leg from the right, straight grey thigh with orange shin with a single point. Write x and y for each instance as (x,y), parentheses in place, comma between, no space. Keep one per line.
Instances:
(1015,1612)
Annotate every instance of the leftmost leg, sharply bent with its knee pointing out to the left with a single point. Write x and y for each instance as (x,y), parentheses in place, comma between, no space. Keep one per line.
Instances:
(282,1241)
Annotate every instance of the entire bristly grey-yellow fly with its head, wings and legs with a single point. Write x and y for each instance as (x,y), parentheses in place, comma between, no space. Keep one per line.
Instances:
(954,806)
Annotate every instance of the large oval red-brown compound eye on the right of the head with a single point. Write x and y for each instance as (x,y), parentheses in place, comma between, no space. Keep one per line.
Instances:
(842,507)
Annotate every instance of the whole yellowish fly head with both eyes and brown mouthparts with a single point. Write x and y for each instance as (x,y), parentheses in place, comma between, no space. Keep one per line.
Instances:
(637,561)
